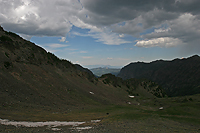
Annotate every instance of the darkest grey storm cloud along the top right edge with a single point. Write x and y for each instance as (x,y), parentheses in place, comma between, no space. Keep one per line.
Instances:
(153,12)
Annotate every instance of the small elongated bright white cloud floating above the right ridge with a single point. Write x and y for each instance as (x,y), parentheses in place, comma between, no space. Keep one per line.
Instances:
(159,42)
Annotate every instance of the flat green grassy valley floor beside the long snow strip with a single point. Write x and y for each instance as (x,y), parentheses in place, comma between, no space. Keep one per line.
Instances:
(179,115)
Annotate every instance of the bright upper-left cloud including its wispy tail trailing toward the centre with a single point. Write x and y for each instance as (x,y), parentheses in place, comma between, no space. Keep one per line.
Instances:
(53,18)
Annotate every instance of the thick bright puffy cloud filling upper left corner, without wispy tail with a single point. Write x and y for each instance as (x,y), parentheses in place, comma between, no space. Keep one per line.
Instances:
(38,18)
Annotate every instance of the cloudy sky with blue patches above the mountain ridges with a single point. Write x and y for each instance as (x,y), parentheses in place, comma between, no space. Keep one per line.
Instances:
(107,32)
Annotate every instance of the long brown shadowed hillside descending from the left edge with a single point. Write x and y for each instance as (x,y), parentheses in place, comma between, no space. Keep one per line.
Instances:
(30,77)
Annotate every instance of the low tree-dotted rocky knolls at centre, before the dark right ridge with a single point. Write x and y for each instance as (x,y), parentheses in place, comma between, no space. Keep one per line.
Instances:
(135,87)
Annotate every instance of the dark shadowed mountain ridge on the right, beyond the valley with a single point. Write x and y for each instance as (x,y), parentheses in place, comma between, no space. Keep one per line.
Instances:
(178,77)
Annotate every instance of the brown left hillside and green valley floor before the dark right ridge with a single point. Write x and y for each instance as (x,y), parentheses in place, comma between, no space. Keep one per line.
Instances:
(37,86)
